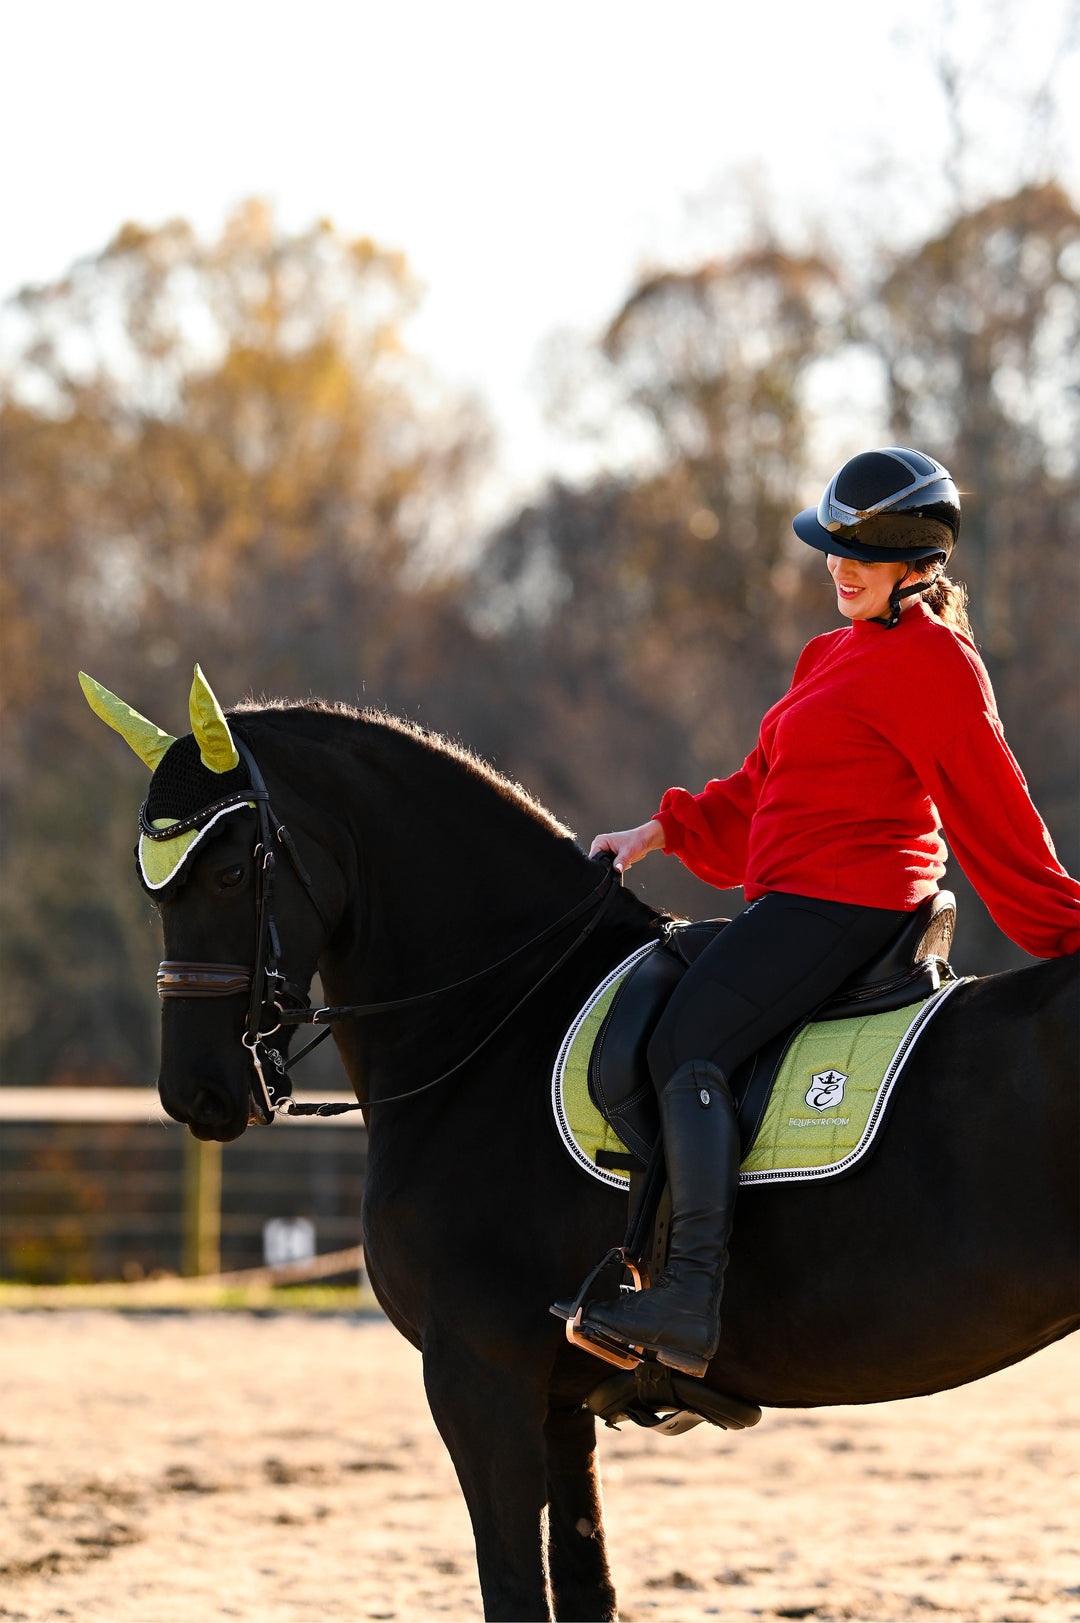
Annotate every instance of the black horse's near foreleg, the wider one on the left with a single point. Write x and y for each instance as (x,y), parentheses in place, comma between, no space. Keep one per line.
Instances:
(491,1418)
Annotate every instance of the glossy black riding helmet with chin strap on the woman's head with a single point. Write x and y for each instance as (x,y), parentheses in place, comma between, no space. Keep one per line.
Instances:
(892,506)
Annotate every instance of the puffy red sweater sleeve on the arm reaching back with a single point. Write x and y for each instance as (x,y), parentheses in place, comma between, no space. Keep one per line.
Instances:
(1000,838)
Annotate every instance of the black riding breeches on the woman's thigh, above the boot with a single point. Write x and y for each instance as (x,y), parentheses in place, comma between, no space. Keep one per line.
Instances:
(771,968)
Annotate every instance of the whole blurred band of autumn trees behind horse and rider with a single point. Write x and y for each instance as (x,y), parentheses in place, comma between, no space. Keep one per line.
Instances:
(225,452)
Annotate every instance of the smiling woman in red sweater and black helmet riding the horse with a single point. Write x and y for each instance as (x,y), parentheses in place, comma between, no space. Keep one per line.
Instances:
(831,827)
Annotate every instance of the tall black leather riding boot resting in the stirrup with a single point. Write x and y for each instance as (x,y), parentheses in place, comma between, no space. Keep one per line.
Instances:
(680,1317)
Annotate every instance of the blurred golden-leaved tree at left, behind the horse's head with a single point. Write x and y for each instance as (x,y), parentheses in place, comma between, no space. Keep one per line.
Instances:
(215,452)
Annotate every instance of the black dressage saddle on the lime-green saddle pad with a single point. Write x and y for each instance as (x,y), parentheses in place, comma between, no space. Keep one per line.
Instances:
(910,968)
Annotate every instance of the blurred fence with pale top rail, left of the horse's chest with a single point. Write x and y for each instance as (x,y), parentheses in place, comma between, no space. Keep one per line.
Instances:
(100,1184)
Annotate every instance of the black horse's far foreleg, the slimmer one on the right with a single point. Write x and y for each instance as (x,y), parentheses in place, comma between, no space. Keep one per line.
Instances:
(577,1556)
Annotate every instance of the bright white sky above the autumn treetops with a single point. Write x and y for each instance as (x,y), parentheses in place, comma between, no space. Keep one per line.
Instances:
(527,158)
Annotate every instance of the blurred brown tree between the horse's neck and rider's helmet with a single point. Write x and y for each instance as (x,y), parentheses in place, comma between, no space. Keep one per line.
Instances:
(659,618)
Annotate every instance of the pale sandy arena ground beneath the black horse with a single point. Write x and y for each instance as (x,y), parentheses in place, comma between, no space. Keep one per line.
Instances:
(189,1468)
